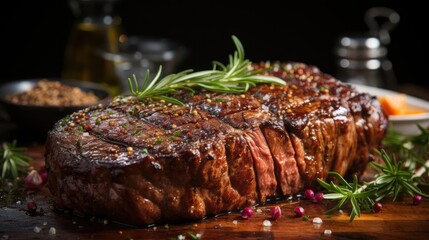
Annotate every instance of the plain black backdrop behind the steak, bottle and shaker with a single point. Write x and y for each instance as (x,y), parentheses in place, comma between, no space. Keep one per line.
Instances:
(35,33)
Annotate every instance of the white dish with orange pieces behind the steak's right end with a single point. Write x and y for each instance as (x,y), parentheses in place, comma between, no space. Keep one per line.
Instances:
(404,124)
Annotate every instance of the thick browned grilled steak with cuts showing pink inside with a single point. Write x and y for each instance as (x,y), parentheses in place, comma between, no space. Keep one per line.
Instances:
(146,162)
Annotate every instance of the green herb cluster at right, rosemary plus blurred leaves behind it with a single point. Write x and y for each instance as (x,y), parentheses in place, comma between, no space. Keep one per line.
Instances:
(394,179)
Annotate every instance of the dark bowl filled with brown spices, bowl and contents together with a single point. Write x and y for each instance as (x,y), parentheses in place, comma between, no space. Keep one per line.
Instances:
(35,105)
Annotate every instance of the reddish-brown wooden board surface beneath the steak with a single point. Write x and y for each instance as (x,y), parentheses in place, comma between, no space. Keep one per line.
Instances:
(398,220)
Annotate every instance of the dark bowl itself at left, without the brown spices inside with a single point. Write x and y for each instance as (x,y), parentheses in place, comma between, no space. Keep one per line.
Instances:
(32,122)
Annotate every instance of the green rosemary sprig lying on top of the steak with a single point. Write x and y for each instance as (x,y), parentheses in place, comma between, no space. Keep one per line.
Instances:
(236,77)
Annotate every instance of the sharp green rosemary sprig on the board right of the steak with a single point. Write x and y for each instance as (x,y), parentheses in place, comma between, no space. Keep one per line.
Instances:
(394,179)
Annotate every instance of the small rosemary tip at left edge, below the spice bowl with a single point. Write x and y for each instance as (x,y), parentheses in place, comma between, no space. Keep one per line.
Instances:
(13,160)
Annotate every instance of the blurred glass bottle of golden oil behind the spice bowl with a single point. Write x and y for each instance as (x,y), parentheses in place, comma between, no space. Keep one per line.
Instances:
(96,31)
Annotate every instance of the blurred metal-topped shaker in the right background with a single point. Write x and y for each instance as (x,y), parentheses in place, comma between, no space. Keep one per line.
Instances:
(361,58)
